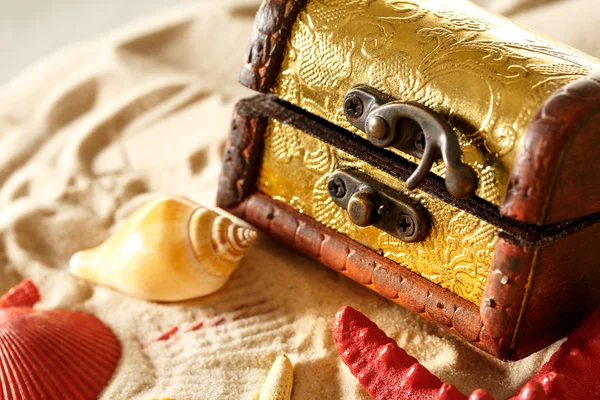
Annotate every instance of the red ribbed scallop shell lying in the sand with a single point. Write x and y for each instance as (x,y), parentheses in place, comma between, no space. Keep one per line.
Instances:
(52,354)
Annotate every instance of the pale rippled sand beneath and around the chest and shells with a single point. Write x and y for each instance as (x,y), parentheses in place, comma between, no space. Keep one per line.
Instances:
(94,131)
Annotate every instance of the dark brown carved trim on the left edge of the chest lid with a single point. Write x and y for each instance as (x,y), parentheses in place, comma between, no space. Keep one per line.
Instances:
(265,52)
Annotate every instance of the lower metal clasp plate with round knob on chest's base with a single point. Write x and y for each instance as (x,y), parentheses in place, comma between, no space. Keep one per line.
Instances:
(369,202)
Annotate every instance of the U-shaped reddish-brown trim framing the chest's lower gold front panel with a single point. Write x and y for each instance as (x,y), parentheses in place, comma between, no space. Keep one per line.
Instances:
(490,327)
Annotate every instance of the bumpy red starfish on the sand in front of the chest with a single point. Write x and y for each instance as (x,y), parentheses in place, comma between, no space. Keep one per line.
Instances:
(387,372)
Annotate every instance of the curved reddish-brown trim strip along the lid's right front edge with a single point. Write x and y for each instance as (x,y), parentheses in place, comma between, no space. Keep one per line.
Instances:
(559,120)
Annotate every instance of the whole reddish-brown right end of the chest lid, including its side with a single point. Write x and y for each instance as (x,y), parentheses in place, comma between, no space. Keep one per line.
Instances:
(547,160)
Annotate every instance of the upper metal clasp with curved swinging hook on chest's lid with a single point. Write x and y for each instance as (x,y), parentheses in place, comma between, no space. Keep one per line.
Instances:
(413,129)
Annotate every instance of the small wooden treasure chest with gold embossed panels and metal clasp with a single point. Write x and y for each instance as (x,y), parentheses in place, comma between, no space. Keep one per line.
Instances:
(433,152)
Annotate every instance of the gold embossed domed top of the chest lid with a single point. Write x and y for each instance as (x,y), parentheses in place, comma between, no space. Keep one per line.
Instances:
(485,75)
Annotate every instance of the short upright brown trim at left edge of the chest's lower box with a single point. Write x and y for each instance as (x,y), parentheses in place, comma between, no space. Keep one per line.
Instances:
(241,159)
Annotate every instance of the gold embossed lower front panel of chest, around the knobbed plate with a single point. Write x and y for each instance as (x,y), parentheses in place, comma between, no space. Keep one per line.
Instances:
(456,254)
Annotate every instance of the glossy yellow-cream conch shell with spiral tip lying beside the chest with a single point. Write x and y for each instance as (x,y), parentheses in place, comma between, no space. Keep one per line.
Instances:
(171,249)
